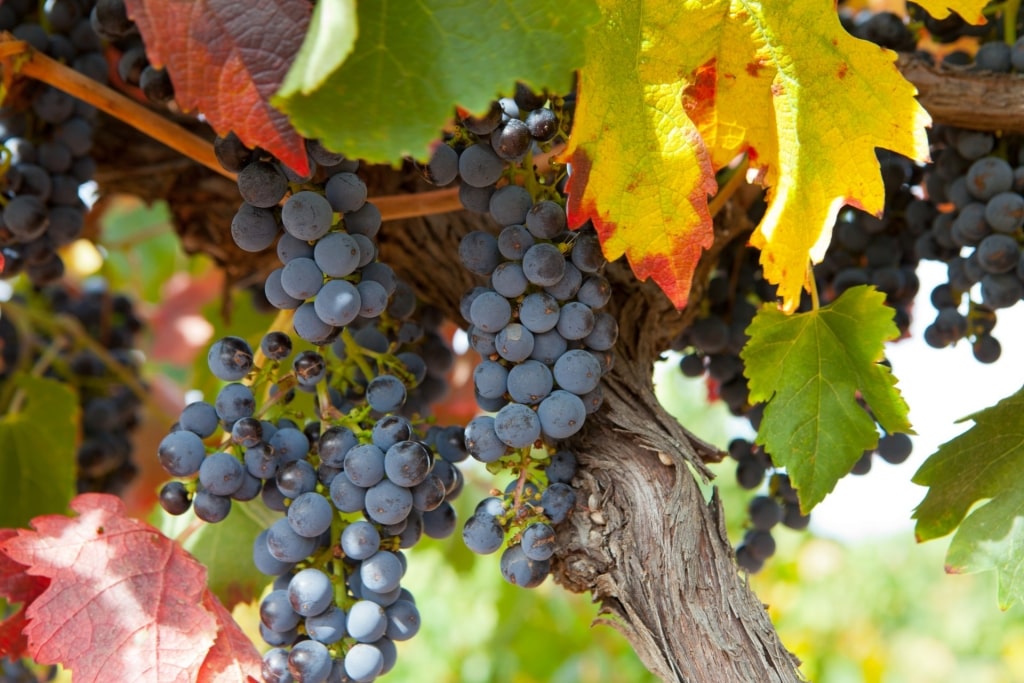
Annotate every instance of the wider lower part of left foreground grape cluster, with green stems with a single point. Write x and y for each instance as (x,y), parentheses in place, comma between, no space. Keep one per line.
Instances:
(356,487)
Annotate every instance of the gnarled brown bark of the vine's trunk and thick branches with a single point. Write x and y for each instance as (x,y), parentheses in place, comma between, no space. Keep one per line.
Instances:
(644,540)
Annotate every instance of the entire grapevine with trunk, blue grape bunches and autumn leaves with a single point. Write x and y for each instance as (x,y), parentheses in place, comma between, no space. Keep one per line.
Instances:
(568,242)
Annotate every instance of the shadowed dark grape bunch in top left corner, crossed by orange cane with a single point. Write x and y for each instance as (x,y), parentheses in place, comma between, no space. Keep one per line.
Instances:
(48,141)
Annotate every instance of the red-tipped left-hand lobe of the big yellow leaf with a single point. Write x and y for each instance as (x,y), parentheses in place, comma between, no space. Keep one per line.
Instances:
(641,173)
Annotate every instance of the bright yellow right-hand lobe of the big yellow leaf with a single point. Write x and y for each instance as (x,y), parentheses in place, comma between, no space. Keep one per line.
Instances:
(833,101)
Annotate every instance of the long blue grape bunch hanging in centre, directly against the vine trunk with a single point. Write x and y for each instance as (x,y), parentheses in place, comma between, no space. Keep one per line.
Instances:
(537,322)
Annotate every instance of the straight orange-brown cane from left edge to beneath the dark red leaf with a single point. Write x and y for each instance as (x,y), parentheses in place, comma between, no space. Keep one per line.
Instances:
(30,63)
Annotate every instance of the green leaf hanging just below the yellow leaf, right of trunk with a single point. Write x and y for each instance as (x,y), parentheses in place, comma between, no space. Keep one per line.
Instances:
(810,367)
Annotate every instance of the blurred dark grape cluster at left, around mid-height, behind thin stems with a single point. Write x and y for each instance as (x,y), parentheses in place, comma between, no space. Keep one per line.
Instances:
(110,408)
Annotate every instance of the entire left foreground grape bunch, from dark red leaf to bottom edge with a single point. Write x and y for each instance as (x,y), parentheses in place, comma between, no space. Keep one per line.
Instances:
(324,425)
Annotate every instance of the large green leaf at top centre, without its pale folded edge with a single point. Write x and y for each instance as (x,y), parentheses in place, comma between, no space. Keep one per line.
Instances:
(414,62)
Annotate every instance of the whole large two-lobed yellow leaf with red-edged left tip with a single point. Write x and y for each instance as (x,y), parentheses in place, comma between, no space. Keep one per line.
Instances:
(702,82)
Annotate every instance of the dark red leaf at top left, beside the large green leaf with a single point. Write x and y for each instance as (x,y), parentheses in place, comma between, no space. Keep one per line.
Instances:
(227,59)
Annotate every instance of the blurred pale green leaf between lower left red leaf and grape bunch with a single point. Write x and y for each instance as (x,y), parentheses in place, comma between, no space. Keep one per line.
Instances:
(226,548)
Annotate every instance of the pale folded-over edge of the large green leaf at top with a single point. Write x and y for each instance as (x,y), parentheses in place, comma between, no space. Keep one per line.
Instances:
(329,41)
